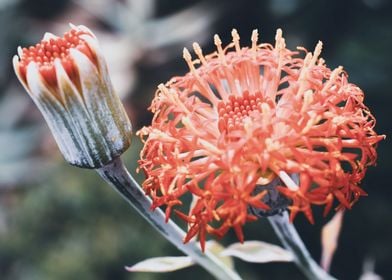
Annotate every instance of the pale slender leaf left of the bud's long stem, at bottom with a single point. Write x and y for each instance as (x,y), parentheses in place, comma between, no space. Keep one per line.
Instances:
(161,264)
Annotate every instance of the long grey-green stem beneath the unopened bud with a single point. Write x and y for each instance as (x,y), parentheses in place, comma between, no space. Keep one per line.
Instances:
(119,178)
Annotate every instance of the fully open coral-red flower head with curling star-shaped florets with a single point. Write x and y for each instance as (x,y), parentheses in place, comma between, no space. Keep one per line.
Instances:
(247,116)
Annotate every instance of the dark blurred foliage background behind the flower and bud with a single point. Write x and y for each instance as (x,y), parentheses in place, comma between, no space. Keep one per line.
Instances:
(61,222)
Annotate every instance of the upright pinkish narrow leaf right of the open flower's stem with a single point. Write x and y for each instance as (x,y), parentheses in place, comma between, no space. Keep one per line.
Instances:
(329,239)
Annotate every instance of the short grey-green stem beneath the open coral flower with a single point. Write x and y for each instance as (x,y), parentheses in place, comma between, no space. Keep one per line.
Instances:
(291,240)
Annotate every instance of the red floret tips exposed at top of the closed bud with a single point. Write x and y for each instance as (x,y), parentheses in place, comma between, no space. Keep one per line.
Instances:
(45,52)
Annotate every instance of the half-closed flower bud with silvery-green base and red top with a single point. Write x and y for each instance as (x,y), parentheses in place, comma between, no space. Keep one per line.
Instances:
(68,80)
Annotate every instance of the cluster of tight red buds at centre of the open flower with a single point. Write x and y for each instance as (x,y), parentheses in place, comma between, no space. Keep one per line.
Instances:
(233,112)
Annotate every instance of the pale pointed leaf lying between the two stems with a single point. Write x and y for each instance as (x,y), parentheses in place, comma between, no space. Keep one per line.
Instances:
(258,252)
